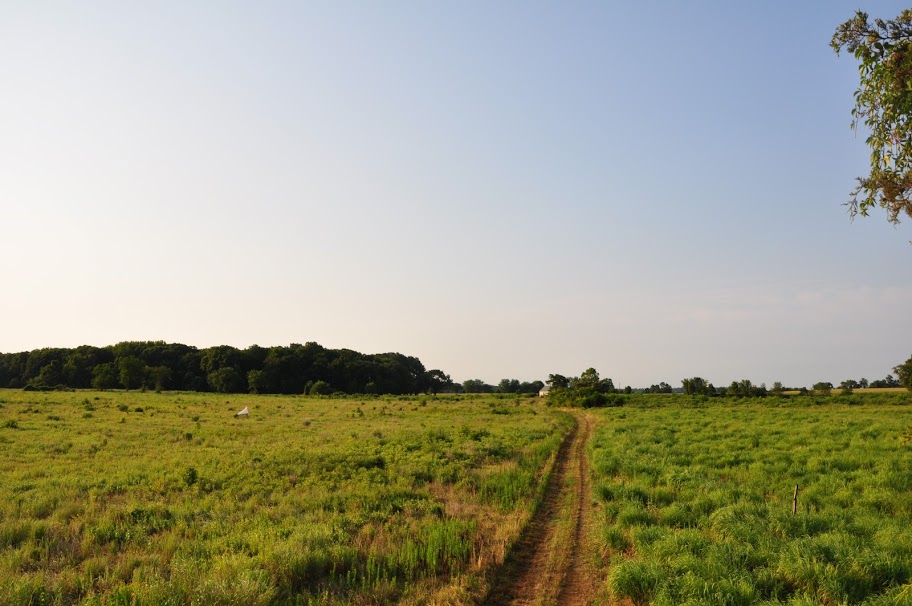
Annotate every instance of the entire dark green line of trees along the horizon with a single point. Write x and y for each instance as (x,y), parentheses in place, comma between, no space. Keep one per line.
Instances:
(313,369)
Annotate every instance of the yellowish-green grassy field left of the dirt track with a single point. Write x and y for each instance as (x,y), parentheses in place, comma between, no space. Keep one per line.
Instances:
(130,498)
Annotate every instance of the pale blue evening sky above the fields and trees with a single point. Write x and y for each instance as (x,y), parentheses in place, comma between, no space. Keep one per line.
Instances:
(502,189)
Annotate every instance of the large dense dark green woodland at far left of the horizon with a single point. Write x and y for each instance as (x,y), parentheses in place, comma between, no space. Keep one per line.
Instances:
(295,369)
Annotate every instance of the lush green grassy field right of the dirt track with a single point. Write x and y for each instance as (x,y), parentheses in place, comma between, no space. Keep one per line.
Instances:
(695,500)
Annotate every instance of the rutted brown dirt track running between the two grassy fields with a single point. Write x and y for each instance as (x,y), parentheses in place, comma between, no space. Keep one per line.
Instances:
(549,564)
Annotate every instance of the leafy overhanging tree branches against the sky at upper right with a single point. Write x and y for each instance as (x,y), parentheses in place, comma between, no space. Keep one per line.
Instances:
(883,104)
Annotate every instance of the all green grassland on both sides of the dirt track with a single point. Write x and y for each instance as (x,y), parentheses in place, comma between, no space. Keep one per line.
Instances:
(142,498)
